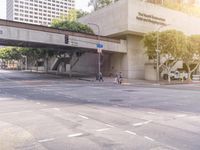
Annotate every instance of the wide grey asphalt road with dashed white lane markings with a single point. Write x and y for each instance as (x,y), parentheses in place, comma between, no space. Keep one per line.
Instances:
(45,112)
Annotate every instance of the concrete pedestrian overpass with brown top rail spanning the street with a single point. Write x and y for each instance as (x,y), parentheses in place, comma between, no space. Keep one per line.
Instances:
(28,35)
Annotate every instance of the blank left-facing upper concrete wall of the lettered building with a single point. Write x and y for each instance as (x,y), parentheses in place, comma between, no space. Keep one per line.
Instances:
(112,19)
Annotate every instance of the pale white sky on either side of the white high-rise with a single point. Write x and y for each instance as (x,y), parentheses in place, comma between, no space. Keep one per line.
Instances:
(80,4)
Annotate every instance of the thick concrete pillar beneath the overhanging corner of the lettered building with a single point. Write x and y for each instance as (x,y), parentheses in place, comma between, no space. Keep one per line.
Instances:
(131,64)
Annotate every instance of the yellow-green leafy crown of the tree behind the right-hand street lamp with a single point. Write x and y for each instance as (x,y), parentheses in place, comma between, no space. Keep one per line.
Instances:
(170,43)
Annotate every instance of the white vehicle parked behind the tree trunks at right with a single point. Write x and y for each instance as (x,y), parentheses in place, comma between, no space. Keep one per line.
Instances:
(176,75)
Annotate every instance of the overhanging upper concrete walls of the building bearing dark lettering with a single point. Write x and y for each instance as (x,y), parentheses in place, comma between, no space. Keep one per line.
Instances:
(121,19)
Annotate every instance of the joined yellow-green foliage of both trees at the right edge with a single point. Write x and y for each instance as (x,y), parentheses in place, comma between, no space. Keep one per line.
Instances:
(174,46)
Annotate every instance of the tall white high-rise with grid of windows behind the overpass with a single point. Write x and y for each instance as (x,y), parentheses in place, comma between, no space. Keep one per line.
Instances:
(39,12)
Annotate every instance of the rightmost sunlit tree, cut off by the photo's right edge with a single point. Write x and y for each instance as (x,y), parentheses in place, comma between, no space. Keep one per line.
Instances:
(191,56)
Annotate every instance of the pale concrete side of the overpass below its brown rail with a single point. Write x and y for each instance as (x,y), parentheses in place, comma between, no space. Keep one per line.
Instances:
(27,35)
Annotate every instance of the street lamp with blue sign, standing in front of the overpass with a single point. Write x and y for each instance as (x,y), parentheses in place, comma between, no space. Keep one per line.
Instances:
(99,51)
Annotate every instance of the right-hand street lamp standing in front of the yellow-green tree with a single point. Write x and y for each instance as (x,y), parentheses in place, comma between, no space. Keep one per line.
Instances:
(158,53)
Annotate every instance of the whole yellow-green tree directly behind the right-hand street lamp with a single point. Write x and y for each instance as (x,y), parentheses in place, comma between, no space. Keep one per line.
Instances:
(171,45)
